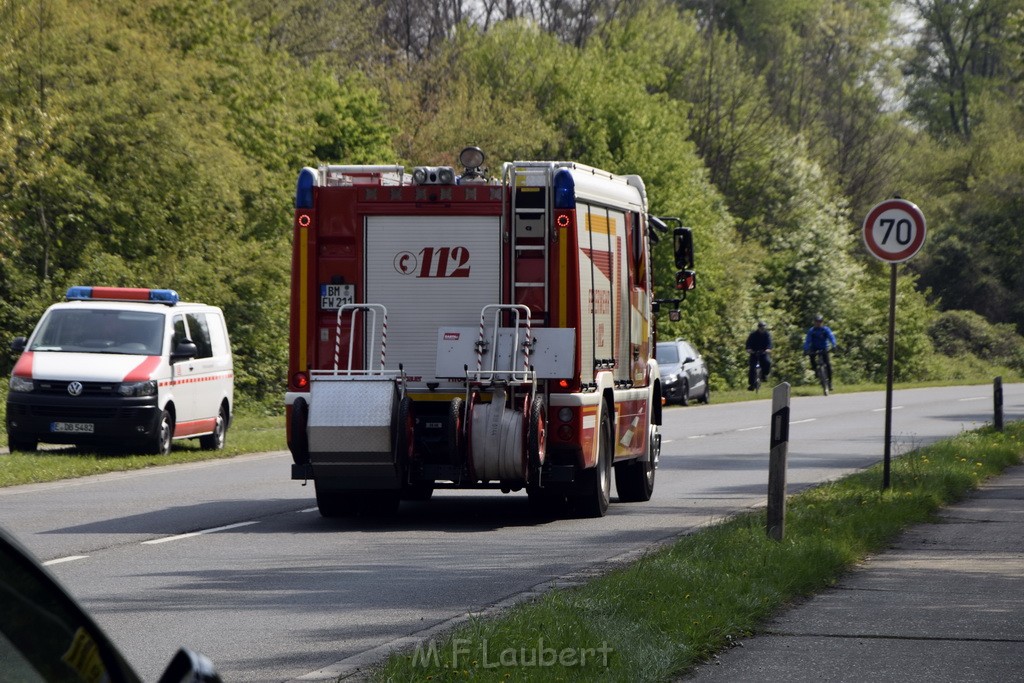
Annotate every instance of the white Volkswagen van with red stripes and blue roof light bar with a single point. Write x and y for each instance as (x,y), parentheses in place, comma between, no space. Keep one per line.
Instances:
(122,367)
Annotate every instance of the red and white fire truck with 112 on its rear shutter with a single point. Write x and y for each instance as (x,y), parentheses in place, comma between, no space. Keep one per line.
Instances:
(461,331)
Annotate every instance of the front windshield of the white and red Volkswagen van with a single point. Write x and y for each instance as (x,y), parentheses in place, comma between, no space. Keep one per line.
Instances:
(101,331)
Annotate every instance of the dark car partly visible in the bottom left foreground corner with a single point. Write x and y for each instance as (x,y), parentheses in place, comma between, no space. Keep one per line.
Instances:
(47,636)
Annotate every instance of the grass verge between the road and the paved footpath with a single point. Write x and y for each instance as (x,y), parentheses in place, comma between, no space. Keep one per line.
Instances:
(680,605)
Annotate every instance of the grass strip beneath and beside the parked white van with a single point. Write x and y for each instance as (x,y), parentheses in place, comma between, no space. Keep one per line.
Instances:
(248,434)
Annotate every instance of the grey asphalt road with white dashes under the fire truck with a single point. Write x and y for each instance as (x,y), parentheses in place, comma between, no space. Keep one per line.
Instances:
(231,558)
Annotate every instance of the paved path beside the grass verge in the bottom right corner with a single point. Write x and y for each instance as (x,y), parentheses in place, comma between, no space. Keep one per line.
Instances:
(945,604)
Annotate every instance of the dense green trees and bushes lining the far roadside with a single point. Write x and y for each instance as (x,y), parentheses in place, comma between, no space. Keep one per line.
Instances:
(156,143)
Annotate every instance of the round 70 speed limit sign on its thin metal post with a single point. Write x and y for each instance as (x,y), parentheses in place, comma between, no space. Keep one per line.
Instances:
(894,231)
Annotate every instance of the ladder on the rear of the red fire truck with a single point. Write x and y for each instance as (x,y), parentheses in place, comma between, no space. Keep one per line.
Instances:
(528,218)
